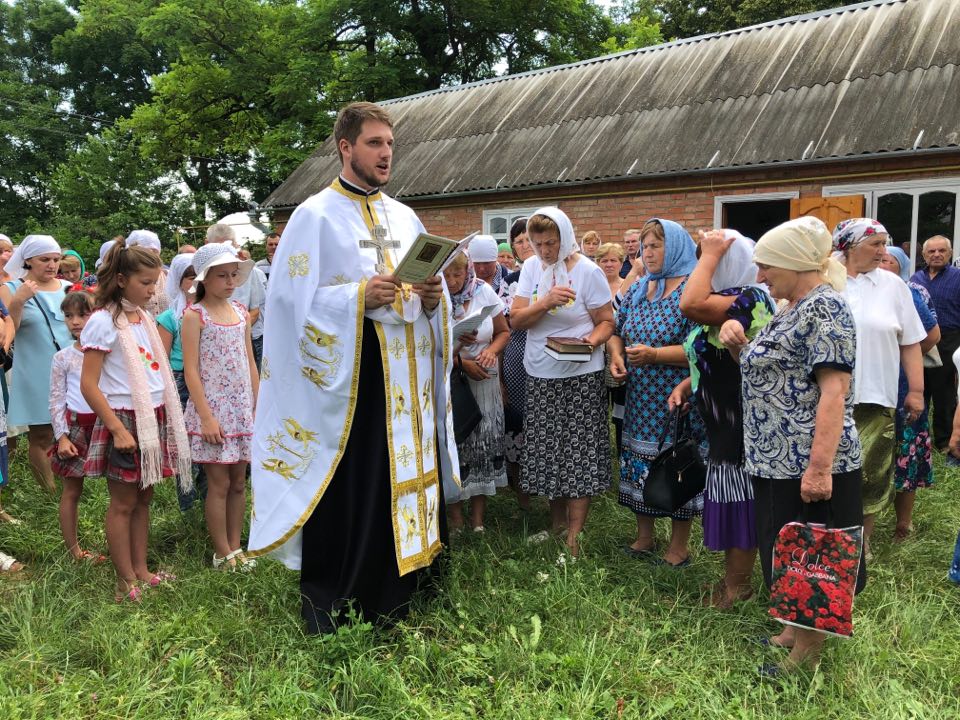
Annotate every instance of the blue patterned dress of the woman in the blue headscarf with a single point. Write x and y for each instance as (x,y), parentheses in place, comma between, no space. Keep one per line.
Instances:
(656,324)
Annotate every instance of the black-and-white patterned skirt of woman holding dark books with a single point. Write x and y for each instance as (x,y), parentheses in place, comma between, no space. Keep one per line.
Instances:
(567,450)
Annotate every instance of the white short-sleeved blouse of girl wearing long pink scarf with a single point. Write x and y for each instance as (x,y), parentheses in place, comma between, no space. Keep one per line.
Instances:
(100,333)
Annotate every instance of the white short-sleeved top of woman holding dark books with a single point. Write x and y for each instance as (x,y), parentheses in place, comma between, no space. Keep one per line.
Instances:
(593,292)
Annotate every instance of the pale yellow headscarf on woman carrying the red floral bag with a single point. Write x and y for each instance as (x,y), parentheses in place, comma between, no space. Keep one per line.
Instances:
(802,244)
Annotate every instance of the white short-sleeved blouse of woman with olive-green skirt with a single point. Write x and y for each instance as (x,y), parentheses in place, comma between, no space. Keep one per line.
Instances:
(886,318)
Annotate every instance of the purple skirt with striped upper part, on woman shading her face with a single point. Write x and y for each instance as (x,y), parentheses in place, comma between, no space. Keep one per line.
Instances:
(728,514)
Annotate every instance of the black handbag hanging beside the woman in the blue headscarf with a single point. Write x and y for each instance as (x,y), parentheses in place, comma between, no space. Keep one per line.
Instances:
(678,473)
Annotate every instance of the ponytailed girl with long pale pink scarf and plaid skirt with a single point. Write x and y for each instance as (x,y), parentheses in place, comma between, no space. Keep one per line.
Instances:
(139,437)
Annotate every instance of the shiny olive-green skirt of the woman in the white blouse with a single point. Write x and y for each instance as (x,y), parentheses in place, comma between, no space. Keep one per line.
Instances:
(875,426)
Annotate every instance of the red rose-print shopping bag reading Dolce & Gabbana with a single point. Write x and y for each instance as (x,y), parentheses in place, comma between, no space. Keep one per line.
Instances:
(815,576)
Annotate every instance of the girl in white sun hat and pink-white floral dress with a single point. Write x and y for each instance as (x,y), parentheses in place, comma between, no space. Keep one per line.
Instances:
(223,381)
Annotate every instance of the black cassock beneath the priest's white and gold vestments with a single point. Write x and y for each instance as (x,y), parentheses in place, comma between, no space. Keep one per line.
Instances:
(349,557)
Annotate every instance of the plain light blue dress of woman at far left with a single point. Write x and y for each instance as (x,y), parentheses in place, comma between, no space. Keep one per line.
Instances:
(35,348)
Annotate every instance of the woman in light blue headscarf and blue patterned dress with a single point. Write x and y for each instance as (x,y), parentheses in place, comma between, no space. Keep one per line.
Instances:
(647,351)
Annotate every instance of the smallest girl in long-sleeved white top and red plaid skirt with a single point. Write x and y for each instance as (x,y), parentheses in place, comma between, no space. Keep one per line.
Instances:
(73,421)
